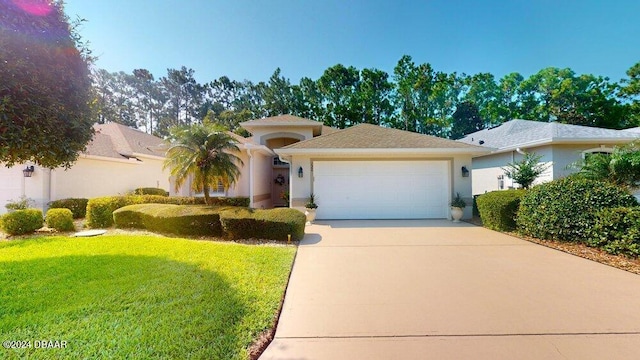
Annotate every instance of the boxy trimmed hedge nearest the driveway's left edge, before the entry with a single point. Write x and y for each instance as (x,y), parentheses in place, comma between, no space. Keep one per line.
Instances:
(273,224)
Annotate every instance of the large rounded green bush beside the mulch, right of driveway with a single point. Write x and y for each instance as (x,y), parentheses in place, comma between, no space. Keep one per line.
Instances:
(566,209)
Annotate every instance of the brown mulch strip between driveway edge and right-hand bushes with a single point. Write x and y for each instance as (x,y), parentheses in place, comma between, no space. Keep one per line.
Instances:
(618,261)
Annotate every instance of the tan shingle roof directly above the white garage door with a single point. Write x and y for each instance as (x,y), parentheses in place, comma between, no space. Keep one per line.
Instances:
(367,136)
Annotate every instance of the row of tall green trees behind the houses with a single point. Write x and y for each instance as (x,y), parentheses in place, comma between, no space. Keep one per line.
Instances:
(415,97)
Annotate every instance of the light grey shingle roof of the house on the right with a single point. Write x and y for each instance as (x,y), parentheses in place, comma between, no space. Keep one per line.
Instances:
(519,132)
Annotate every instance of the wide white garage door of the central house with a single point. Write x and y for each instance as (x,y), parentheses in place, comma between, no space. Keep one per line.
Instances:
(381,189)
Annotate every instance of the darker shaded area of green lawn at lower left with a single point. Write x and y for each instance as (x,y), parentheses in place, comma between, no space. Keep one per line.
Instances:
(119,306)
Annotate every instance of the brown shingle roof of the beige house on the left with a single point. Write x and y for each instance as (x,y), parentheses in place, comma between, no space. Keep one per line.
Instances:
(118,141)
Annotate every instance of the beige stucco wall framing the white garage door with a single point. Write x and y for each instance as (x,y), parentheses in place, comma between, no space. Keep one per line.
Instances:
(301,188)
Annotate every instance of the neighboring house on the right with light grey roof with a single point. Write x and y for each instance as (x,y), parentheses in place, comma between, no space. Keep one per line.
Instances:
(560,146)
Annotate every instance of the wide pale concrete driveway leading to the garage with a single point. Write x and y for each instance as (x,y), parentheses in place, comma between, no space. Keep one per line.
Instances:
(431,289)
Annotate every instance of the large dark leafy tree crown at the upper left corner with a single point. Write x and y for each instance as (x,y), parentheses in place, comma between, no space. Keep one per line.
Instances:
(44,85)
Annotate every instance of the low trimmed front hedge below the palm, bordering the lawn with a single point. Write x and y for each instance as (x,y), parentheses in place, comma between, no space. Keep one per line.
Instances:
(171,219)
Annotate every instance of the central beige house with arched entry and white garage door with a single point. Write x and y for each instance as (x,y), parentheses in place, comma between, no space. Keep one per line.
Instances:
(362,172)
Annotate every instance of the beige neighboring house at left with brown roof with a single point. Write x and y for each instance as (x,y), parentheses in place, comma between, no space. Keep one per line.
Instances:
(117,160)
